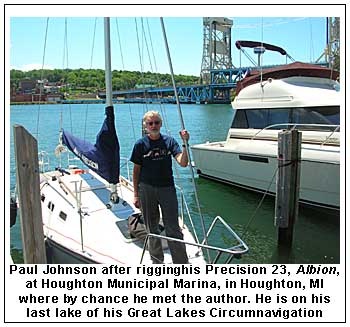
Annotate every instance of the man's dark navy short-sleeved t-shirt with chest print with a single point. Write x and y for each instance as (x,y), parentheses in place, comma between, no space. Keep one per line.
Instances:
(154,157)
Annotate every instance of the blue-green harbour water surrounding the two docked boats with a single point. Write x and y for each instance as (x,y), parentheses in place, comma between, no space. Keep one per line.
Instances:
(316,234)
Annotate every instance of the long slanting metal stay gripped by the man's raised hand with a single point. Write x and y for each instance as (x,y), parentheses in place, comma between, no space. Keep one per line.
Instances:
(186,143)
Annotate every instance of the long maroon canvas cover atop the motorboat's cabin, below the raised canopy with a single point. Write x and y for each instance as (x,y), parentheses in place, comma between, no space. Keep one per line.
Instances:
(294,69)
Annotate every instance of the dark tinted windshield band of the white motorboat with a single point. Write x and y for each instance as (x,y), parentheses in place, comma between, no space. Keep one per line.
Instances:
(318,117)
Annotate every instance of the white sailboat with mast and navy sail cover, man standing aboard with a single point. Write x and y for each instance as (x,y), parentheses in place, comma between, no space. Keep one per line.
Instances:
(86,212)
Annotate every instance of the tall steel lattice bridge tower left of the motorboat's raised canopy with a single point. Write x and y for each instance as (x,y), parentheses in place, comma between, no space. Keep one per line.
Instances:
(216,45)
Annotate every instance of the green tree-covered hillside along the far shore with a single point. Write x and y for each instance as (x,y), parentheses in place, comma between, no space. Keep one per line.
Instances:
(95,79)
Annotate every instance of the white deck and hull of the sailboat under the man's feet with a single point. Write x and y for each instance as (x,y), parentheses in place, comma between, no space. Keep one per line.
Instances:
(100,234)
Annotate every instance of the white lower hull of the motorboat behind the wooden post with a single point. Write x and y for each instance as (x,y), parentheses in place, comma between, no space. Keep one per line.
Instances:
(252,164)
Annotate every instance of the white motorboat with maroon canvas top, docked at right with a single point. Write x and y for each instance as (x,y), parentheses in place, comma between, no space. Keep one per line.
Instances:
(294,96)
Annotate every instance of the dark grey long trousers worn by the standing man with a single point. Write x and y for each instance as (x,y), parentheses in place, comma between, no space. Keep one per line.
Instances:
(165,197)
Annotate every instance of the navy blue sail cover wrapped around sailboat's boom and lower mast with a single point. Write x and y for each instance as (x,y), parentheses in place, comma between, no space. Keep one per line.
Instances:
(103,157)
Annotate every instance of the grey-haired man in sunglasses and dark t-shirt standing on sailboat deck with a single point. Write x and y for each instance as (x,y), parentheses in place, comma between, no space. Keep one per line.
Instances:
(154,185)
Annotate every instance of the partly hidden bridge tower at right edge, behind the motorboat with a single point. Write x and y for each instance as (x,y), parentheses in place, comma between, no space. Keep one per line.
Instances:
(332,51)
